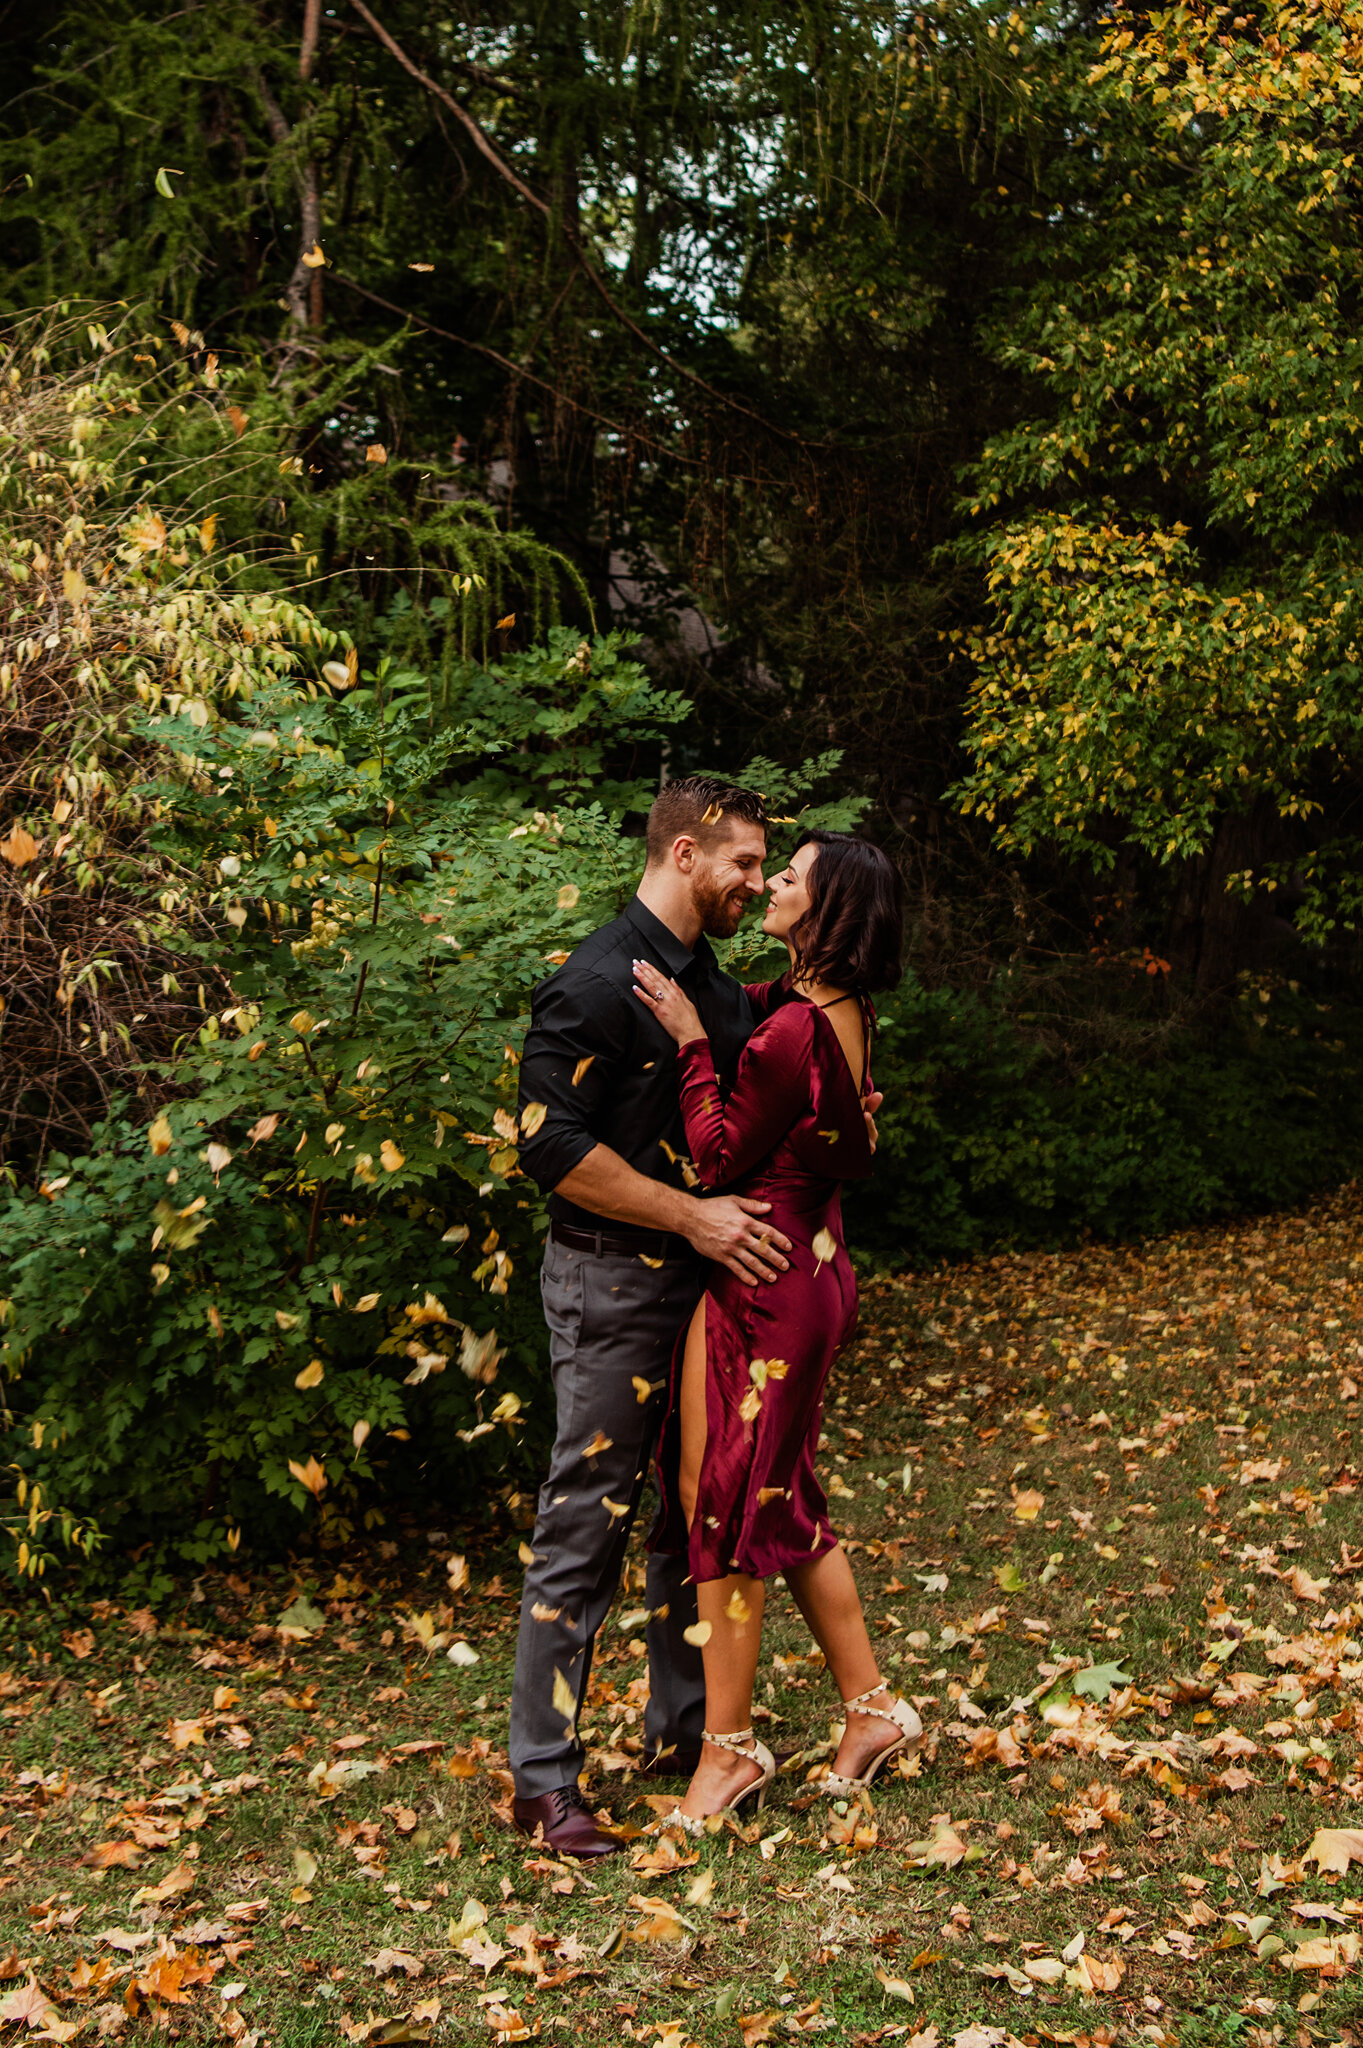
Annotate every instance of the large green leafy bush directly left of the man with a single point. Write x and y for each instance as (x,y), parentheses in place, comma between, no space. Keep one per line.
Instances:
(306,1263)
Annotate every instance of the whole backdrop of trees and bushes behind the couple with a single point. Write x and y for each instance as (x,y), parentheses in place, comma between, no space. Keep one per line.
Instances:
(416,437)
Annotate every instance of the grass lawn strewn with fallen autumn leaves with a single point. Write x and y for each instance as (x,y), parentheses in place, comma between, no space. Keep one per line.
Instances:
(1104,1510)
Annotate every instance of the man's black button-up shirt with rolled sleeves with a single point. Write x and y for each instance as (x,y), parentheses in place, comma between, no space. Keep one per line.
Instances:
(607,1070)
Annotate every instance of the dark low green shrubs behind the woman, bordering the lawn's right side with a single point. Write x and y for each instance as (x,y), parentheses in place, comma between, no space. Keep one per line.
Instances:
(992,1140)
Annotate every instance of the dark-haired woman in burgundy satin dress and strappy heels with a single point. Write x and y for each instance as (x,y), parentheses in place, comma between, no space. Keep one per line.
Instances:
(748,1398)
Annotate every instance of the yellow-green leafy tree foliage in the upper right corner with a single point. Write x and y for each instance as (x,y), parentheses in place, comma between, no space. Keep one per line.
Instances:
(1178,583)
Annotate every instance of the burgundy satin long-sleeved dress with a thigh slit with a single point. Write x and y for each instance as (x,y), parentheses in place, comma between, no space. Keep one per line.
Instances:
(789,1136)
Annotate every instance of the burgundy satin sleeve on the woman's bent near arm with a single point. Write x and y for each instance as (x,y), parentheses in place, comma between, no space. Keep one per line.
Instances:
(771,1095)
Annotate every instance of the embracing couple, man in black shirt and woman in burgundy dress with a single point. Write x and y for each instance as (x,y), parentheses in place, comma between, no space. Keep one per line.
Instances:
(699,1328)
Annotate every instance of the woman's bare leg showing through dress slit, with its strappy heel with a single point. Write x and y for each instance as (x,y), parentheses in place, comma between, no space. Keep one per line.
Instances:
(732,1607)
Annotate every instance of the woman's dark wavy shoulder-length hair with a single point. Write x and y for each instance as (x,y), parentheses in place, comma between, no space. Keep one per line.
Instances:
(854,931)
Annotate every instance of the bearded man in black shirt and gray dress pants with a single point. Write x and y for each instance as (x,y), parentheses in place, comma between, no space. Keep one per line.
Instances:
(623,1273)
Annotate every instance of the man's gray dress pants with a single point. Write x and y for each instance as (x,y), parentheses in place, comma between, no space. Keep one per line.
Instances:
(613,1322)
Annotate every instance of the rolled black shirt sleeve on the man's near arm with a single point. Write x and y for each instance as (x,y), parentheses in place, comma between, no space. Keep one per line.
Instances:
(572,1060)
